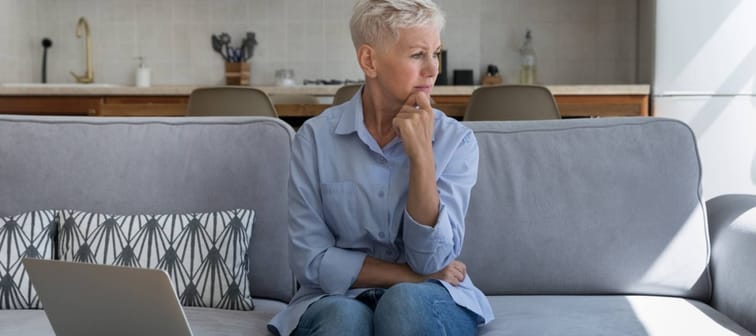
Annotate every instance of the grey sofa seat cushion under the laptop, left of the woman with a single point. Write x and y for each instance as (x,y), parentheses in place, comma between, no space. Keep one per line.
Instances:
(203,321)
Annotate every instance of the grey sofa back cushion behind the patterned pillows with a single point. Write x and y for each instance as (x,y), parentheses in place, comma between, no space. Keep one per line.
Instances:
(137,165)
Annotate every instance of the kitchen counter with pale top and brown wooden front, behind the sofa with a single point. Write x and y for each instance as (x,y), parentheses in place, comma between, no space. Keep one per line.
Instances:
(171,100)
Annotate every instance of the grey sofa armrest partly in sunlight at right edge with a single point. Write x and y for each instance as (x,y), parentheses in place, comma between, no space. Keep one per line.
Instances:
(732,227)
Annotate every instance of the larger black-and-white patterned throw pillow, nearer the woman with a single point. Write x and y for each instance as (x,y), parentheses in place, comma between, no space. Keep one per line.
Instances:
(204,254)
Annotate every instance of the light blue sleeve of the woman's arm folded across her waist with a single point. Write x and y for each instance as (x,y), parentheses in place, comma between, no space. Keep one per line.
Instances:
(313,256)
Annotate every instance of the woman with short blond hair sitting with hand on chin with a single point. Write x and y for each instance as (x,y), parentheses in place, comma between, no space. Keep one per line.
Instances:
(378,193)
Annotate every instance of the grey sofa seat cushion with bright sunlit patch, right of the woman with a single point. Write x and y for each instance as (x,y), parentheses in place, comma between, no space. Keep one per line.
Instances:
(545,315)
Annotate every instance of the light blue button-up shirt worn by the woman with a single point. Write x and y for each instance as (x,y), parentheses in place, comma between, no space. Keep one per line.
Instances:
(347,200)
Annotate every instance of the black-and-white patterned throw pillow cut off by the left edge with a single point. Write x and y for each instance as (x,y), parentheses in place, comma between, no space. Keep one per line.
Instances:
(31,235)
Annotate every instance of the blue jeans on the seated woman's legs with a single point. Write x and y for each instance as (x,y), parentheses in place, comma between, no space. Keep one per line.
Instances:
(404,309)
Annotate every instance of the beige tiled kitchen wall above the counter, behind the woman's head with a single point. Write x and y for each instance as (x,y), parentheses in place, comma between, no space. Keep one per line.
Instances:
(576,41)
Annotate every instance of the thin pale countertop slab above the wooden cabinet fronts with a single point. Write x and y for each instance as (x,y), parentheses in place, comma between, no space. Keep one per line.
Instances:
(315,90)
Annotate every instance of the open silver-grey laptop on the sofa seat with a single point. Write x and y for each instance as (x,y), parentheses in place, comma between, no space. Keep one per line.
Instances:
(88,299)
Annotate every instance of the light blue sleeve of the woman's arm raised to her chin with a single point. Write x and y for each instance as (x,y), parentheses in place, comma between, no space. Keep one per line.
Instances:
(430,249)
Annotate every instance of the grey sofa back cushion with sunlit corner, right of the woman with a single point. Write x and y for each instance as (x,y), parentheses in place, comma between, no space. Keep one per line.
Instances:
(589,206)
